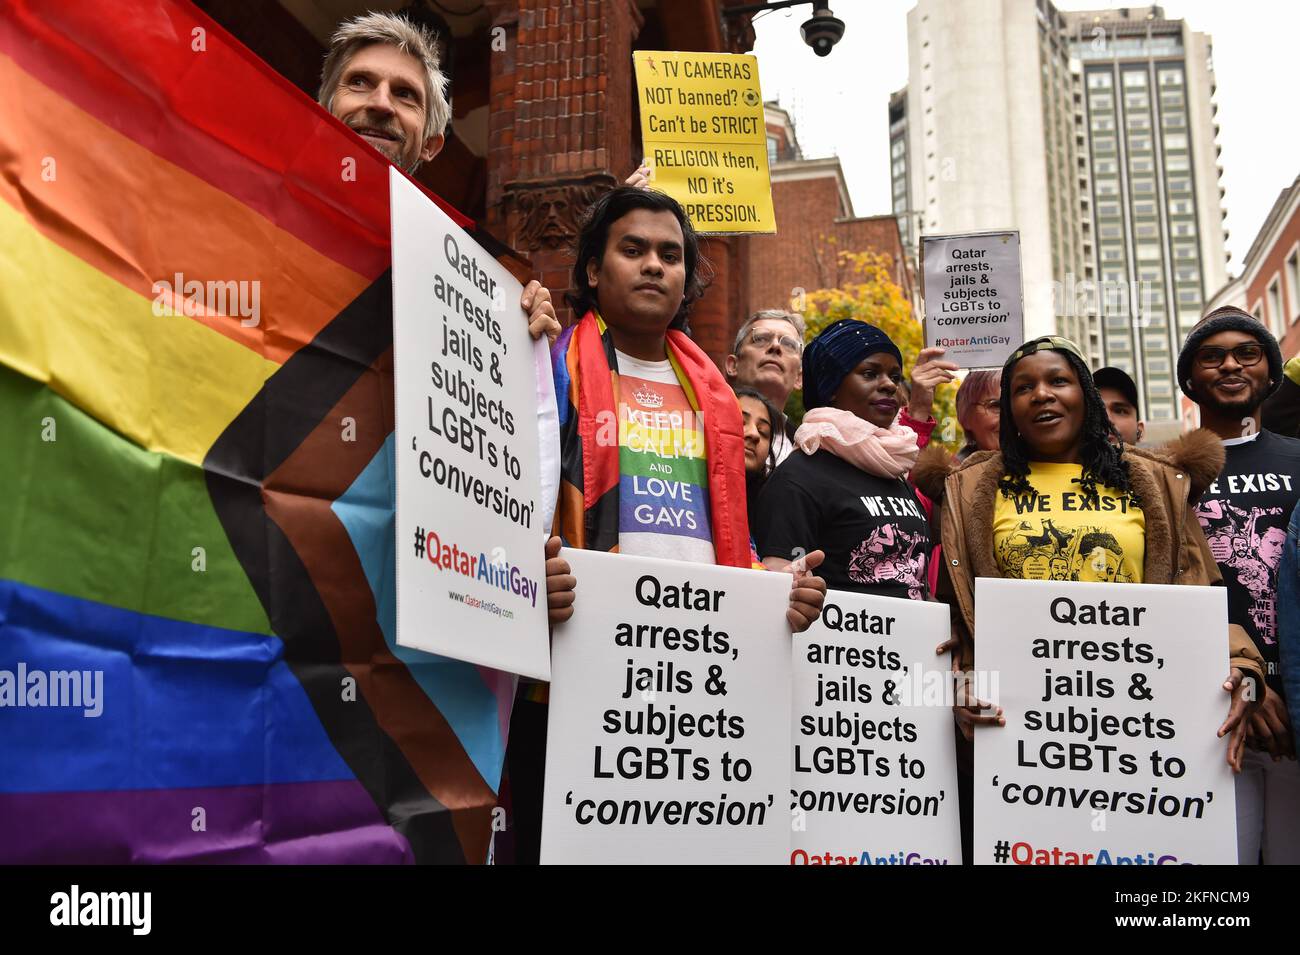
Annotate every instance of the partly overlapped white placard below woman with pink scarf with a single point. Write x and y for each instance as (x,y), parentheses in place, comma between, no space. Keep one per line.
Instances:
(874,770)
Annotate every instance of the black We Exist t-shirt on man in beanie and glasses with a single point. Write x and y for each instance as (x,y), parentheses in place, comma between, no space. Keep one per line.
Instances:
(1245,516)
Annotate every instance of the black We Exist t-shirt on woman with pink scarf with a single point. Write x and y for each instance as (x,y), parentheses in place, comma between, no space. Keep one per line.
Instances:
(873,529)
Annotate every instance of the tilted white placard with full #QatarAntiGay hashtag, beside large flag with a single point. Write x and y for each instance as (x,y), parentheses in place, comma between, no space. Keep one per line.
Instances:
(471,579)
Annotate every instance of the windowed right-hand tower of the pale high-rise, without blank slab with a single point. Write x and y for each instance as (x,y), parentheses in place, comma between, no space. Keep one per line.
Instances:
(1156,207)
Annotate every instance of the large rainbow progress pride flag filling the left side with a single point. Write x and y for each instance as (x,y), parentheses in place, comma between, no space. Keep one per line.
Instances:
(197,581)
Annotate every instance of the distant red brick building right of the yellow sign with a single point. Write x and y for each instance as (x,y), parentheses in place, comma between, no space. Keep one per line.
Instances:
(814,222)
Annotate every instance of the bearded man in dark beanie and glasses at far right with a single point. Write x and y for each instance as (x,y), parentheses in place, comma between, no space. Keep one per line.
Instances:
(1229,366)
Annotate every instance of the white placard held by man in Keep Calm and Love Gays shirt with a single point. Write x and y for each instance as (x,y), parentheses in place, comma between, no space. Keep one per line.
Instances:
(670,715)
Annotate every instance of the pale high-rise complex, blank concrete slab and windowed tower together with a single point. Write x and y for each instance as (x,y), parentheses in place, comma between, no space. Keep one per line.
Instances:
(1017,116)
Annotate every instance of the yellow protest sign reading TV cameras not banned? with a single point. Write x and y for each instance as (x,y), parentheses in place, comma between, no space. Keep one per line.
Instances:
(704,134)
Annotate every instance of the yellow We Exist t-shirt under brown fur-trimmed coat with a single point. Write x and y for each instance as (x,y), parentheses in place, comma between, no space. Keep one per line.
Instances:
(1061,535)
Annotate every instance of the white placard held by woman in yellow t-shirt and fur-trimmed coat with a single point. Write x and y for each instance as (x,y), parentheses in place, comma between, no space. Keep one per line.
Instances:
(1112,696)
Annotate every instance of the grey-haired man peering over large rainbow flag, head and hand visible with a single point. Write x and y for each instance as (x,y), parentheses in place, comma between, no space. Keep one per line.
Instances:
(382,79)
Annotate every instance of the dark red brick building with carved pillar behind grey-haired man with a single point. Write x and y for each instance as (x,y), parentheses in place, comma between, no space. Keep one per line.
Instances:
(544,112)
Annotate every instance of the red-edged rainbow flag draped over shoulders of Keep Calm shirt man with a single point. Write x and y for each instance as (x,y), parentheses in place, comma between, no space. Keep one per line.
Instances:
(587,384)
